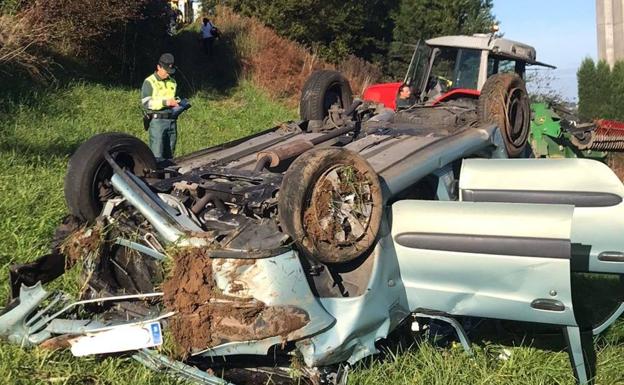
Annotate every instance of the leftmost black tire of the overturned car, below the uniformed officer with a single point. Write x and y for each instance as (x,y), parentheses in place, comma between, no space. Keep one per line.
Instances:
(87,182)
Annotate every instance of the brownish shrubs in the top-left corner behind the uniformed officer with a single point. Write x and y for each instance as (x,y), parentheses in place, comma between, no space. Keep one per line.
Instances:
(113,37)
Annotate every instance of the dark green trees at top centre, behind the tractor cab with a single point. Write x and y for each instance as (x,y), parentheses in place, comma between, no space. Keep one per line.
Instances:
(369,29)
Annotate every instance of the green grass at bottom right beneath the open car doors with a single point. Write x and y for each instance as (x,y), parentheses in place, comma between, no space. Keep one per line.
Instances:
(525,365)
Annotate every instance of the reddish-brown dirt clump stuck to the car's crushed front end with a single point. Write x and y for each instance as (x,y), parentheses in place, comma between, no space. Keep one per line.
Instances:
(206,317)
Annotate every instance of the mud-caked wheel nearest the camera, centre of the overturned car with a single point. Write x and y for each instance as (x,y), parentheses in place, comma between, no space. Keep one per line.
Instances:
(330,203)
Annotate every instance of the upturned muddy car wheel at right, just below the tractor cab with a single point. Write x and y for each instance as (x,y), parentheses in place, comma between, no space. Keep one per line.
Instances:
(504,101)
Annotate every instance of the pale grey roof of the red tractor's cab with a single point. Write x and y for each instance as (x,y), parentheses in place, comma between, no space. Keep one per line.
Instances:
(499,46)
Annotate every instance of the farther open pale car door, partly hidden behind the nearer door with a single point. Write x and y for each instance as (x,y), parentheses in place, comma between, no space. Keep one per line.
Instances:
(594,190)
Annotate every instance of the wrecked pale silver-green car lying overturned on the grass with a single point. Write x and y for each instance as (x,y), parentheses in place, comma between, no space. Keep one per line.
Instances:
(318,238)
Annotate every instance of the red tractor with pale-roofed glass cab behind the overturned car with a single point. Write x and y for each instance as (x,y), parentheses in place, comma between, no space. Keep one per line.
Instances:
(451,67)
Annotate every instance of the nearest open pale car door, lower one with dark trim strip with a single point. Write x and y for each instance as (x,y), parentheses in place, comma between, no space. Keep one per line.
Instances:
(496,260)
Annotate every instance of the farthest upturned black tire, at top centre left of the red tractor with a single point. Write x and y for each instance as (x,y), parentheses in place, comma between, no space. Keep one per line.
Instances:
(321,90)
